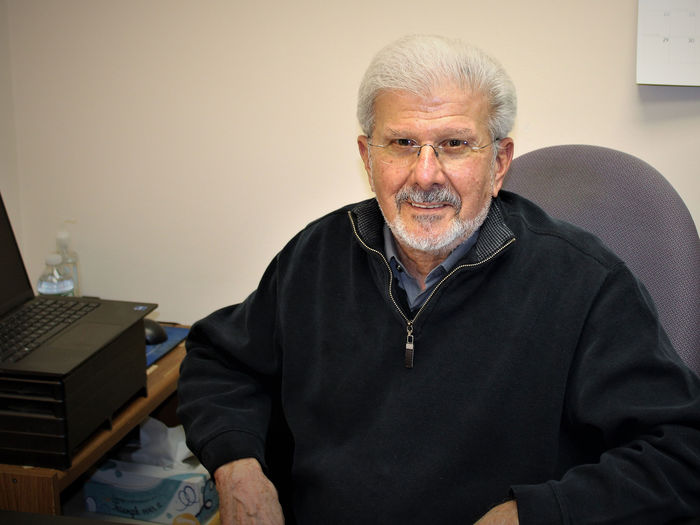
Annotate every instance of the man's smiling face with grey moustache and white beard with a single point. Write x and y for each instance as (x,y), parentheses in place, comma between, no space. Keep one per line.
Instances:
(429,207)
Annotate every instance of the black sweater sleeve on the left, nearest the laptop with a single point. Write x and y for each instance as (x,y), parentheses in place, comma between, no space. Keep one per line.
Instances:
(228,379)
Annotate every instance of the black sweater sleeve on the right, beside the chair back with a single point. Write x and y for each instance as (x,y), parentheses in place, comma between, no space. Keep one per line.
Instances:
(628,390)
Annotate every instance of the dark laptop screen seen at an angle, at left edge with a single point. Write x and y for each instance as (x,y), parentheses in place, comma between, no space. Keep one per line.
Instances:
(15,287)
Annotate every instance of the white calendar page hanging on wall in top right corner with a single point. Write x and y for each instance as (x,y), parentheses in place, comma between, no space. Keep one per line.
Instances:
(668,47)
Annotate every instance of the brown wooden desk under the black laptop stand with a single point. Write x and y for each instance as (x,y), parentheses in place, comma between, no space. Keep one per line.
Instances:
(38,489)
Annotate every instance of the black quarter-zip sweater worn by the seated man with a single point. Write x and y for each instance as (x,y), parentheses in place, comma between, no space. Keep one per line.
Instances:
(539,371)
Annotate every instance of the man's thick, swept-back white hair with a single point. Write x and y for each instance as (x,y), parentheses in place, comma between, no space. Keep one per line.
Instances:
(418,64)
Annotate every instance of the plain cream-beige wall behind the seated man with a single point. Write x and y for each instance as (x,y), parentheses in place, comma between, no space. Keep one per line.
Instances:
(191,139)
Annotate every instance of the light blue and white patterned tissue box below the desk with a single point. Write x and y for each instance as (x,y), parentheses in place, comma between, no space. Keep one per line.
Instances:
(162,494)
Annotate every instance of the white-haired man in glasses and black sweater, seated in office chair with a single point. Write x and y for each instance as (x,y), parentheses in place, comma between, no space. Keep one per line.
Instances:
(446,352)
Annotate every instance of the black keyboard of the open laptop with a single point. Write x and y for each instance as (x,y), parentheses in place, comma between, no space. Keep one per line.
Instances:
(36,322)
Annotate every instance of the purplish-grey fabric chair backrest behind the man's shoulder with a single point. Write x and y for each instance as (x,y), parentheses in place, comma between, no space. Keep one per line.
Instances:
(636,212)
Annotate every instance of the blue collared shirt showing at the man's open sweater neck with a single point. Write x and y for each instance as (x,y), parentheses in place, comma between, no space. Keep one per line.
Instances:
(416,296)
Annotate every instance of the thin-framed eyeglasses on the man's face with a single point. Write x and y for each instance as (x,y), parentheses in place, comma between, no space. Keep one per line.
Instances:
(452,153)
